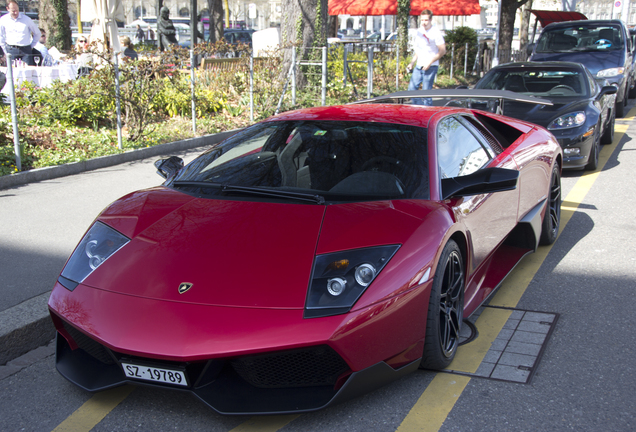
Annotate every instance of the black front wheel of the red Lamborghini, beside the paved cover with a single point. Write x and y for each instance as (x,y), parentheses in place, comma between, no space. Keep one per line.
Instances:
(445,310)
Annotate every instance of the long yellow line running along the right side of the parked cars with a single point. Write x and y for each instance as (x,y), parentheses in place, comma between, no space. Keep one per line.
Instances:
(433,404)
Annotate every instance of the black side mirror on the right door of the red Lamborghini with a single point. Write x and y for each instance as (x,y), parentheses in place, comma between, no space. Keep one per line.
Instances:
(487,180)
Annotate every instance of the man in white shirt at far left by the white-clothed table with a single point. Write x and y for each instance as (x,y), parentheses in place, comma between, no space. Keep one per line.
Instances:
(18,34)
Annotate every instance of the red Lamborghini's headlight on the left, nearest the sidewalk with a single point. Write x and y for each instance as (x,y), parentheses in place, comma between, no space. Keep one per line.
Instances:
(99,243)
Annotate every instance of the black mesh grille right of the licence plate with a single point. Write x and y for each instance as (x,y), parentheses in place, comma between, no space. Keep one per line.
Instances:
(316,366)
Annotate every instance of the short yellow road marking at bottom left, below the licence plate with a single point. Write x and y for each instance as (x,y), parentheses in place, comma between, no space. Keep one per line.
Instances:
(94,410)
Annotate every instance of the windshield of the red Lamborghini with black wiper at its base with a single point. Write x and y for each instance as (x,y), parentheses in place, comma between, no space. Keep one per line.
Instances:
(333,160)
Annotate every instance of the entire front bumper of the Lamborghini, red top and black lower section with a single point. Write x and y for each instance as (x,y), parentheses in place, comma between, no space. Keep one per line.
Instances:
(238,360)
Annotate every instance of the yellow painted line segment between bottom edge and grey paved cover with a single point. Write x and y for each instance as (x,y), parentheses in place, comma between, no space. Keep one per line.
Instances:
(430,411)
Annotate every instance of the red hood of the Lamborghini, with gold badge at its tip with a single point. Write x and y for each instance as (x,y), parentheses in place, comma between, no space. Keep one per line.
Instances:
(234,253)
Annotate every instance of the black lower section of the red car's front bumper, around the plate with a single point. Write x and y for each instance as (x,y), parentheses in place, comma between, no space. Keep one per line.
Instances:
(276,383)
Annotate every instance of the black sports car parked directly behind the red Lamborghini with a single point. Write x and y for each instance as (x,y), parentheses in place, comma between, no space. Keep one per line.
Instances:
(582,112)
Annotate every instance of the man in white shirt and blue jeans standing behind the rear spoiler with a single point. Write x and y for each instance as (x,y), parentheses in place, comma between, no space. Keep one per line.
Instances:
(428,48)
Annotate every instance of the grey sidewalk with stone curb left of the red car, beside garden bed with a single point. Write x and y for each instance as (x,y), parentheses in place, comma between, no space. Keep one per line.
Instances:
(33,248)
